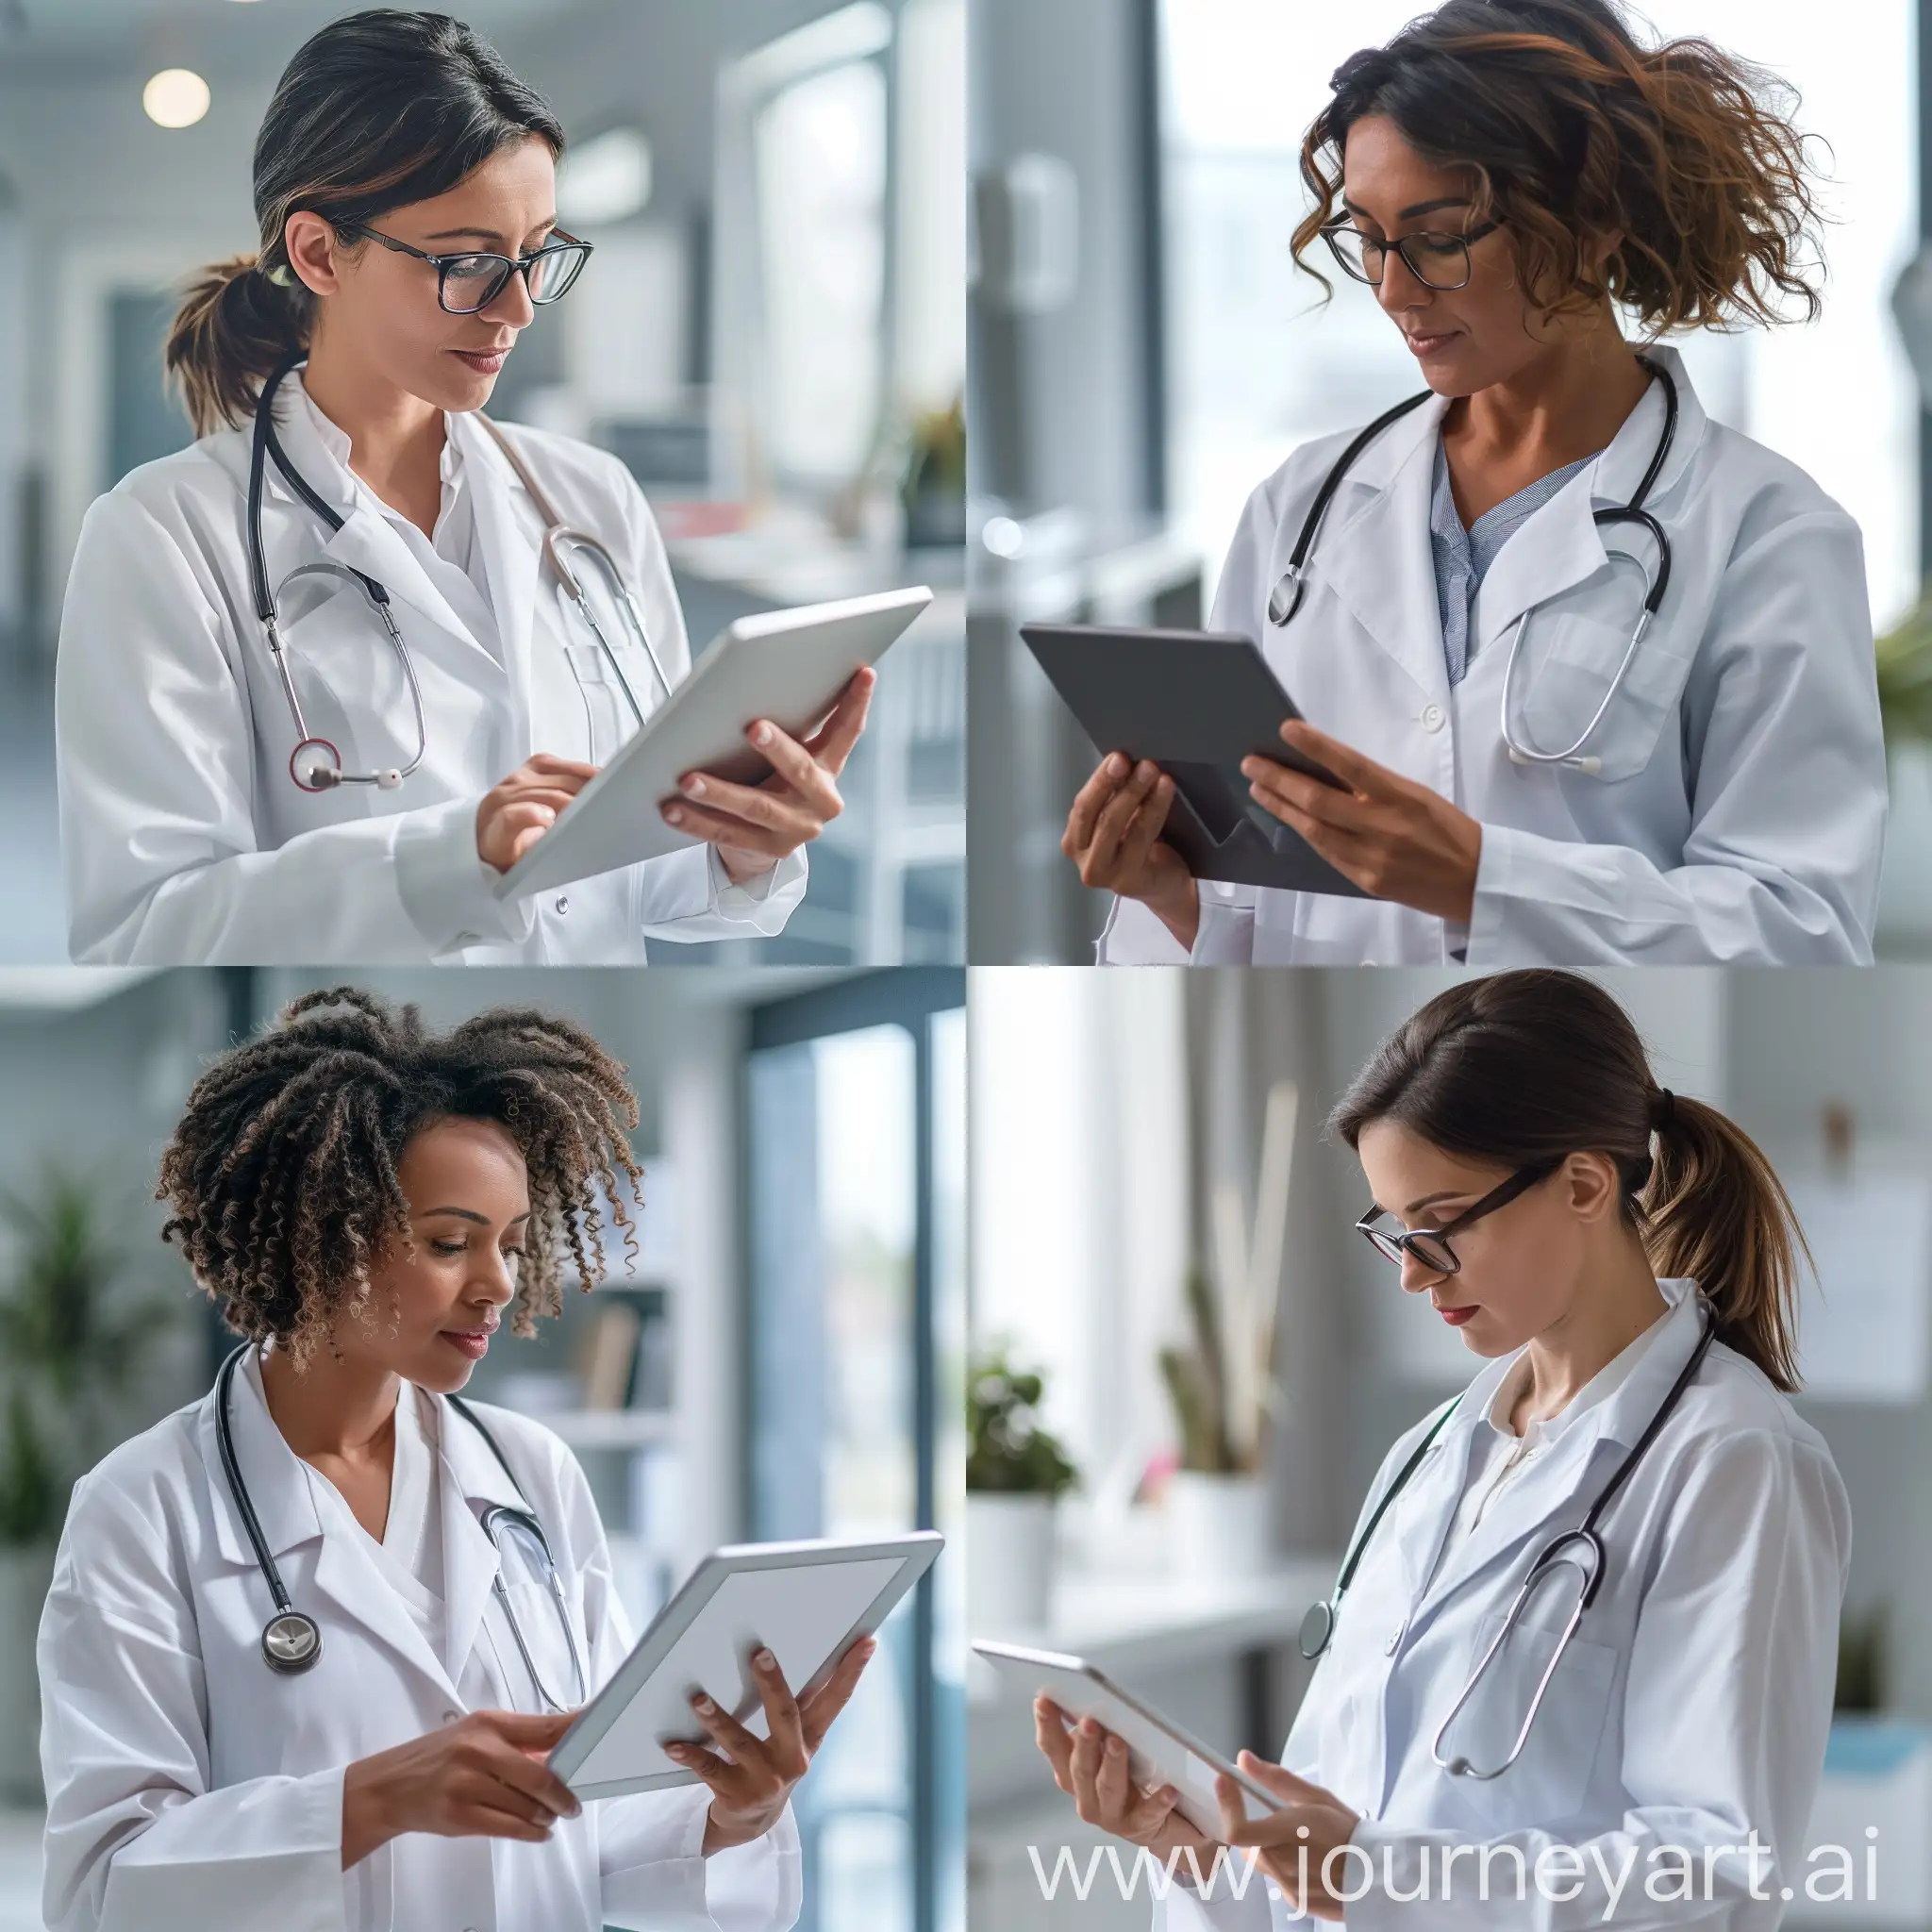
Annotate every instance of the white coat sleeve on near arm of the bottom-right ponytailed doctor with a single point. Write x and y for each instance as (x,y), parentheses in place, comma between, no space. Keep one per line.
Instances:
(1724,1730)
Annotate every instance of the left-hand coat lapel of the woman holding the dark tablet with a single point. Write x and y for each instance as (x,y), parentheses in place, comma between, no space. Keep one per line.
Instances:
(1375,548)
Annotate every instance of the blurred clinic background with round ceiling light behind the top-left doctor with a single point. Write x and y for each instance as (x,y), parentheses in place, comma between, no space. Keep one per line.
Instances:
(772,337)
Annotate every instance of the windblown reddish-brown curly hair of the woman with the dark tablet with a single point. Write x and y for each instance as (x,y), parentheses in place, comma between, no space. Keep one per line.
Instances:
(1576,134)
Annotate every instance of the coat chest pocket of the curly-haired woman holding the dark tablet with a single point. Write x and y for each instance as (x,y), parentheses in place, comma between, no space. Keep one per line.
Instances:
(1568,668)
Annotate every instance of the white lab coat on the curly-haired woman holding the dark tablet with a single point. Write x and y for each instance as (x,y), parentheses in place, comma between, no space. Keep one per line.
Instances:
(1742,803)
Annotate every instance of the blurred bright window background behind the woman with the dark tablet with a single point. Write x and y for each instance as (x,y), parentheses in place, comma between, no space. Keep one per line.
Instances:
(1147,353)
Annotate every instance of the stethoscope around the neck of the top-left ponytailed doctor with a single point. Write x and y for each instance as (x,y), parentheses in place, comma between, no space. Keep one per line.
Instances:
(316,764)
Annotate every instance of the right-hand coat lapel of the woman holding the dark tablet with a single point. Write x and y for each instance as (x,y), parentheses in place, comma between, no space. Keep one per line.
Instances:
(1562,544)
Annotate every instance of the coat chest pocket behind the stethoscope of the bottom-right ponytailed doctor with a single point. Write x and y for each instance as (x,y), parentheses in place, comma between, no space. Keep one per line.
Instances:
(1552,1776)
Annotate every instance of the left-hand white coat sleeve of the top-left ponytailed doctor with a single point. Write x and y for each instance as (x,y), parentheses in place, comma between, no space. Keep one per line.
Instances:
(157,772)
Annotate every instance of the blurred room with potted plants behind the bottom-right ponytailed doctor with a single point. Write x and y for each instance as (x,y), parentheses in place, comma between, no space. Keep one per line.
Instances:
(1133,1131)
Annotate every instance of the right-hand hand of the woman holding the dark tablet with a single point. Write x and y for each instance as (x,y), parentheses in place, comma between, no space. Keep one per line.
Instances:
(1390,836)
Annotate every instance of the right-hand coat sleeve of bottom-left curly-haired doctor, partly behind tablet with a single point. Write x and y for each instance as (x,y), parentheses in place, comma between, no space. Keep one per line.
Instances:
(650,1844)
